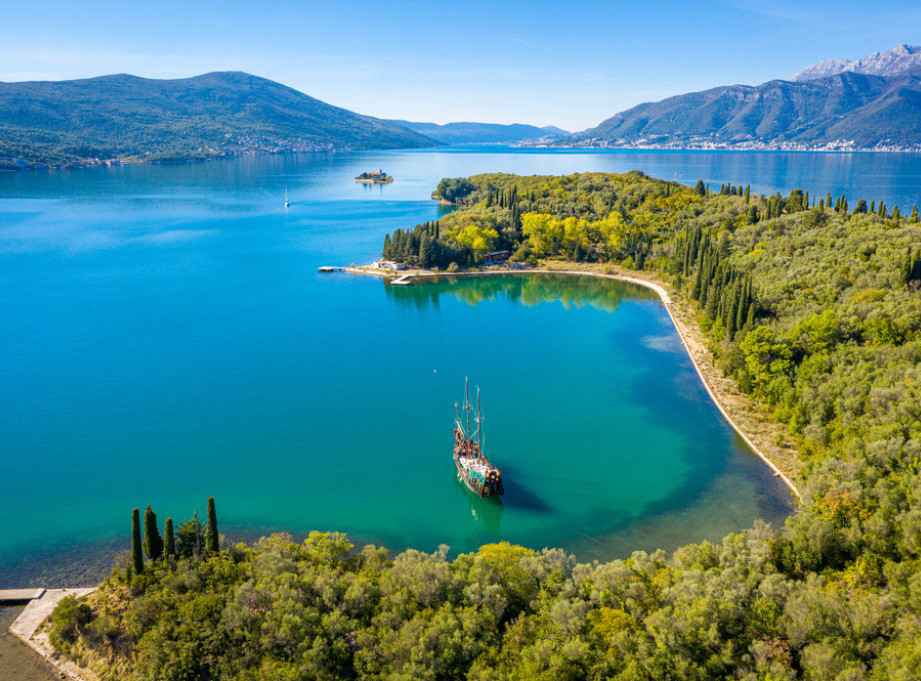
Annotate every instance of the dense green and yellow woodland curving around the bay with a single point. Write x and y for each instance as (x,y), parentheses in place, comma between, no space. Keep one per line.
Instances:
(814,310)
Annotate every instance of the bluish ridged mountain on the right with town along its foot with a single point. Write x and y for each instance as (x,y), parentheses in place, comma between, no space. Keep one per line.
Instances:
(848,110)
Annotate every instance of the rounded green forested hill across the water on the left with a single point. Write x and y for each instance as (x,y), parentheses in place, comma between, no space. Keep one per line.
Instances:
(123,116)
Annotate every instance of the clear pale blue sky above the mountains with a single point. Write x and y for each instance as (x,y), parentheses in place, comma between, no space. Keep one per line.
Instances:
(567,64)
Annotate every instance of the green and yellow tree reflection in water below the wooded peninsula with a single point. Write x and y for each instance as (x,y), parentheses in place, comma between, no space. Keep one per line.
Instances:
(525,288)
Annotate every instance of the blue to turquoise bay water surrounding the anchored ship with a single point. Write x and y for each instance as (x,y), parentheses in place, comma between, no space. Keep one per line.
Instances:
(165,336)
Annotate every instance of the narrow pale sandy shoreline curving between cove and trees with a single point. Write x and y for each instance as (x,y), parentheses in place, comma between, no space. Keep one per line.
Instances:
(743,415)
